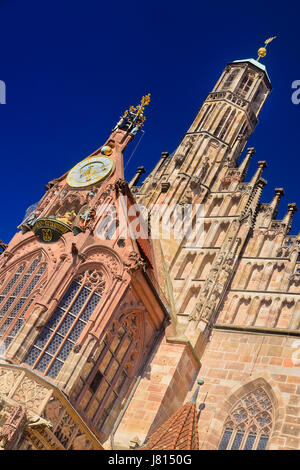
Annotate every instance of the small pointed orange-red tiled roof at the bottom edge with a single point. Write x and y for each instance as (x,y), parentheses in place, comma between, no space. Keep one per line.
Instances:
(179,432)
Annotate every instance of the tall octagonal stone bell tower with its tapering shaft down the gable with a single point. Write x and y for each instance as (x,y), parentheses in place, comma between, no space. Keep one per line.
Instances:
(204,171)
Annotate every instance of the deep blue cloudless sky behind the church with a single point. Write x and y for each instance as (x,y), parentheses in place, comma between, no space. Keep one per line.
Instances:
(72,67)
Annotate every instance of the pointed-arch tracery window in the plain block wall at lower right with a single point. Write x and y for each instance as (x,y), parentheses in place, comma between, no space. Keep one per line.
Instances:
(249,424)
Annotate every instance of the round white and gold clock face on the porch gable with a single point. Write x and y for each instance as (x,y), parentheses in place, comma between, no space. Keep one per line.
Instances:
(90,171)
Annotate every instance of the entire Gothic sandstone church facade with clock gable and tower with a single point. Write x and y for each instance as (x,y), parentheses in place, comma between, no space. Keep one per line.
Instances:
(116,298)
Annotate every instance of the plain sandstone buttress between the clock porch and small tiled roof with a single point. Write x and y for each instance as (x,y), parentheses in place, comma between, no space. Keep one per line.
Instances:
(161,391)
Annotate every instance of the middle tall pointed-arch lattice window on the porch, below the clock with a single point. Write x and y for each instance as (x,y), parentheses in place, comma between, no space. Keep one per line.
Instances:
(59,336)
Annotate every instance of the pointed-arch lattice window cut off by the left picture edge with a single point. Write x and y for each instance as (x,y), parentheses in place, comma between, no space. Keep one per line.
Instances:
(16,297)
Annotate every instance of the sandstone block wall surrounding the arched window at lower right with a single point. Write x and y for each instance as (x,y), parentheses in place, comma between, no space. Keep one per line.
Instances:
(234,364)
